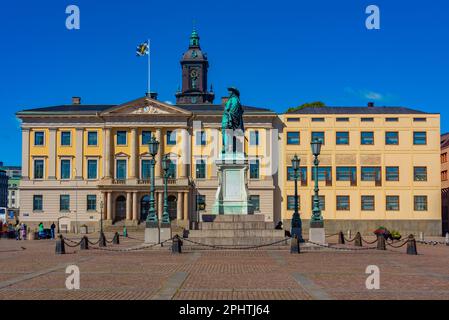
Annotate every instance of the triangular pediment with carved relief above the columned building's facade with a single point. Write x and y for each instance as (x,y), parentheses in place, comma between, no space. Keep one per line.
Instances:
(145,106)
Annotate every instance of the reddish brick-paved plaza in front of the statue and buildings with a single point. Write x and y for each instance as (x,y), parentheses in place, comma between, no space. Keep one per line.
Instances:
(32,270)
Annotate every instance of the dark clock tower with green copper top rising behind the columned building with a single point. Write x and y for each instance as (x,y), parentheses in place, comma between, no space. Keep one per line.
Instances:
(194,66)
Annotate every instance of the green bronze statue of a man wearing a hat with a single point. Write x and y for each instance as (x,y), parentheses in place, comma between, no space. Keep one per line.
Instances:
(232,117)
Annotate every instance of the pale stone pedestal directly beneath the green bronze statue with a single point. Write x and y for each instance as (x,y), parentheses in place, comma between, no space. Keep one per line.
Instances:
(232,194)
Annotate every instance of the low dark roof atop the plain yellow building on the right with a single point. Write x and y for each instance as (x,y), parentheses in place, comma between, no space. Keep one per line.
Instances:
(357,110)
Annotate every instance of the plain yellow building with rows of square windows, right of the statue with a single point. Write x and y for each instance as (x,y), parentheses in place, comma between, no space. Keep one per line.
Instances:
(378,166)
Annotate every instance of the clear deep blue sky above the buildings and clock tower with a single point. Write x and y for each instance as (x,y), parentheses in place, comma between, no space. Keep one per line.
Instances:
(278,53)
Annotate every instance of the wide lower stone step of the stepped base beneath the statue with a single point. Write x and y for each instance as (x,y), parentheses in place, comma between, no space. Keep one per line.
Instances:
(236,233)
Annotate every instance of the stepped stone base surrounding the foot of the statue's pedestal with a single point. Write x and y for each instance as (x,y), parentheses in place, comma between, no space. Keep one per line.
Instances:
(237,231)
